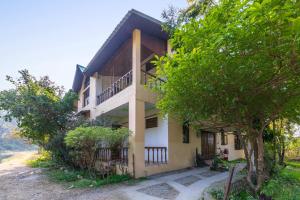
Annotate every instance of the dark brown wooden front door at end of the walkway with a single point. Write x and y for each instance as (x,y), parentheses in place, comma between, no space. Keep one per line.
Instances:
(208,145)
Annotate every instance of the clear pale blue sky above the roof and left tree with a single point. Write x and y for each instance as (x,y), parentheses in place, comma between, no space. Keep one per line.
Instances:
(51,37)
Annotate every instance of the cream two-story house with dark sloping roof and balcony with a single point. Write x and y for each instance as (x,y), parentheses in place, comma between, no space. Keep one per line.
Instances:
(113,86)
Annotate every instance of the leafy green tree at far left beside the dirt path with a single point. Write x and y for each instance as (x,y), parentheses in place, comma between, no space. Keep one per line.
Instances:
(38,105)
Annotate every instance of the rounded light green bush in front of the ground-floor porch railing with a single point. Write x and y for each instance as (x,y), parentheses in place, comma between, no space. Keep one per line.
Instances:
(84,141)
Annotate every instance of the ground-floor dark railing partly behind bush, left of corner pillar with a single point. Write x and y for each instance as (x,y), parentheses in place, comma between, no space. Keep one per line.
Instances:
(106,155)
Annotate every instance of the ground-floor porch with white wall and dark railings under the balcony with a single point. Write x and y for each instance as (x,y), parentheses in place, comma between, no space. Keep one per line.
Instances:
(155,137)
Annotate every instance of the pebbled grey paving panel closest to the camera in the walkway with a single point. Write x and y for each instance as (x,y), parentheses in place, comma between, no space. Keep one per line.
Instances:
(163,190)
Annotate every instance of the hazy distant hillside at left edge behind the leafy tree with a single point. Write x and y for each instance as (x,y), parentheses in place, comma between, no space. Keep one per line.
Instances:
(8,142)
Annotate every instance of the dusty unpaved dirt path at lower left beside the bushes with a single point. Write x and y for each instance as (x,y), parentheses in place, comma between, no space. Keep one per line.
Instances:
(19,182)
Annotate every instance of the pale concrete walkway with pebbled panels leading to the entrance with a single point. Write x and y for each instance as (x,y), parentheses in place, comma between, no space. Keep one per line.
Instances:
(187,185)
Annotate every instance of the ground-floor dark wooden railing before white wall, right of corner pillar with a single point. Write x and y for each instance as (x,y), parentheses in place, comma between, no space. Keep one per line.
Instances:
(156,155)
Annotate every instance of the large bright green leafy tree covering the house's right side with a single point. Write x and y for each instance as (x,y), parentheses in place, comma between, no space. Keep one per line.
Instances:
(238,65)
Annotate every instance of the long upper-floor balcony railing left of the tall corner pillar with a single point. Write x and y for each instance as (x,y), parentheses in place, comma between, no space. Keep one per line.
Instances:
(115,88)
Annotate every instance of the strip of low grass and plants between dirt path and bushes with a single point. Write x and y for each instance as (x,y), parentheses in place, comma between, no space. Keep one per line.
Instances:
(74,178)
